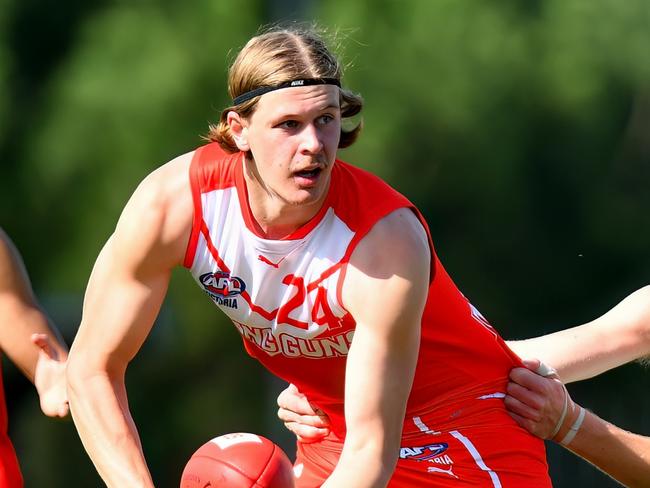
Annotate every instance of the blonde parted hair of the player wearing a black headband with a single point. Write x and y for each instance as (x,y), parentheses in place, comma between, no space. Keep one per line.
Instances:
(276,56)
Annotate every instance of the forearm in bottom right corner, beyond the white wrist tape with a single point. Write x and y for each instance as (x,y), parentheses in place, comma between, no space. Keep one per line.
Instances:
(621,454)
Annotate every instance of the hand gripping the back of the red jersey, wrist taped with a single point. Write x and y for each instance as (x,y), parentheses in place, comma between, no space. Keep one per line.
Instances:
(537,402)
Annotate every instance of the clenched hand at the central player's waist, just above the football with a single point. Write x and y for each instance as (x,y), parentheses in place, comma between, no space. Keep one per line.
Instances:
(308,423)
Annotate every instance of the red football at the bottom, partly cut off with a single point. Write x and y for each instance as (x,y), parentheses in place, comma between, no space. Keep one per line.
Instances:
(238,461)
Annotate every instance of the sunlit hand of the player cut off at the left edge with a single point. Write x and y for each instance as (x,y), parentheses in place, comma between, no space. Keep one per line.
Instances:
(49,378)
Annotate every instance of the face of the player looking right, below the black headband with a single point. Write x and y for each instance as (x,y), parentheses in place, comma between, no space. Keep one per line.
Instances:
(293,136)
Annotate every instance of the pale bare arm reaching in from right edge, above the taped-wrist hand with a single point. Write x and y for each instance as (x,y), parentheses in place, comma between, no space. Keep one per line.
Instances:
(615,338)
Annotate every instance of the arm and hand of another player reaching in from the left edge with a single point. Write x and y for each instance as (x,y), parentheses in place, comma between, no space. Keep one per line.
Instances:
(26,335)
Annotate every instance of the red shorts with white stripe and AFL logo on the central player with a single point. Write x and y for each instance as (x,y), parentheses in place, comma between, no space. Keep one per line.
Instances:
(495,457)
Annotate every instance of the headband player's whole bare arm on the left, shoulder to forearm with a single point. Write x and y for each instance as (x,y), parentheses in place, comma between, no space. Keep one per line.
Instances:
(124,295)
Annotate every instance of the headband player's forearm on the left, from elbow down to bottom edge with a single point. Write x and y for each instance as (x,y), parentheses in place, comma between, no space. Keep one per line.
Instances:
(100,411)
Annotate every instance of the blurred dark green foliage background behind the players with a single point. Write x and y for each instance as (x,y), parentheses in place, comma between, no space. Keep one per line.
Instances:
(519,128)
